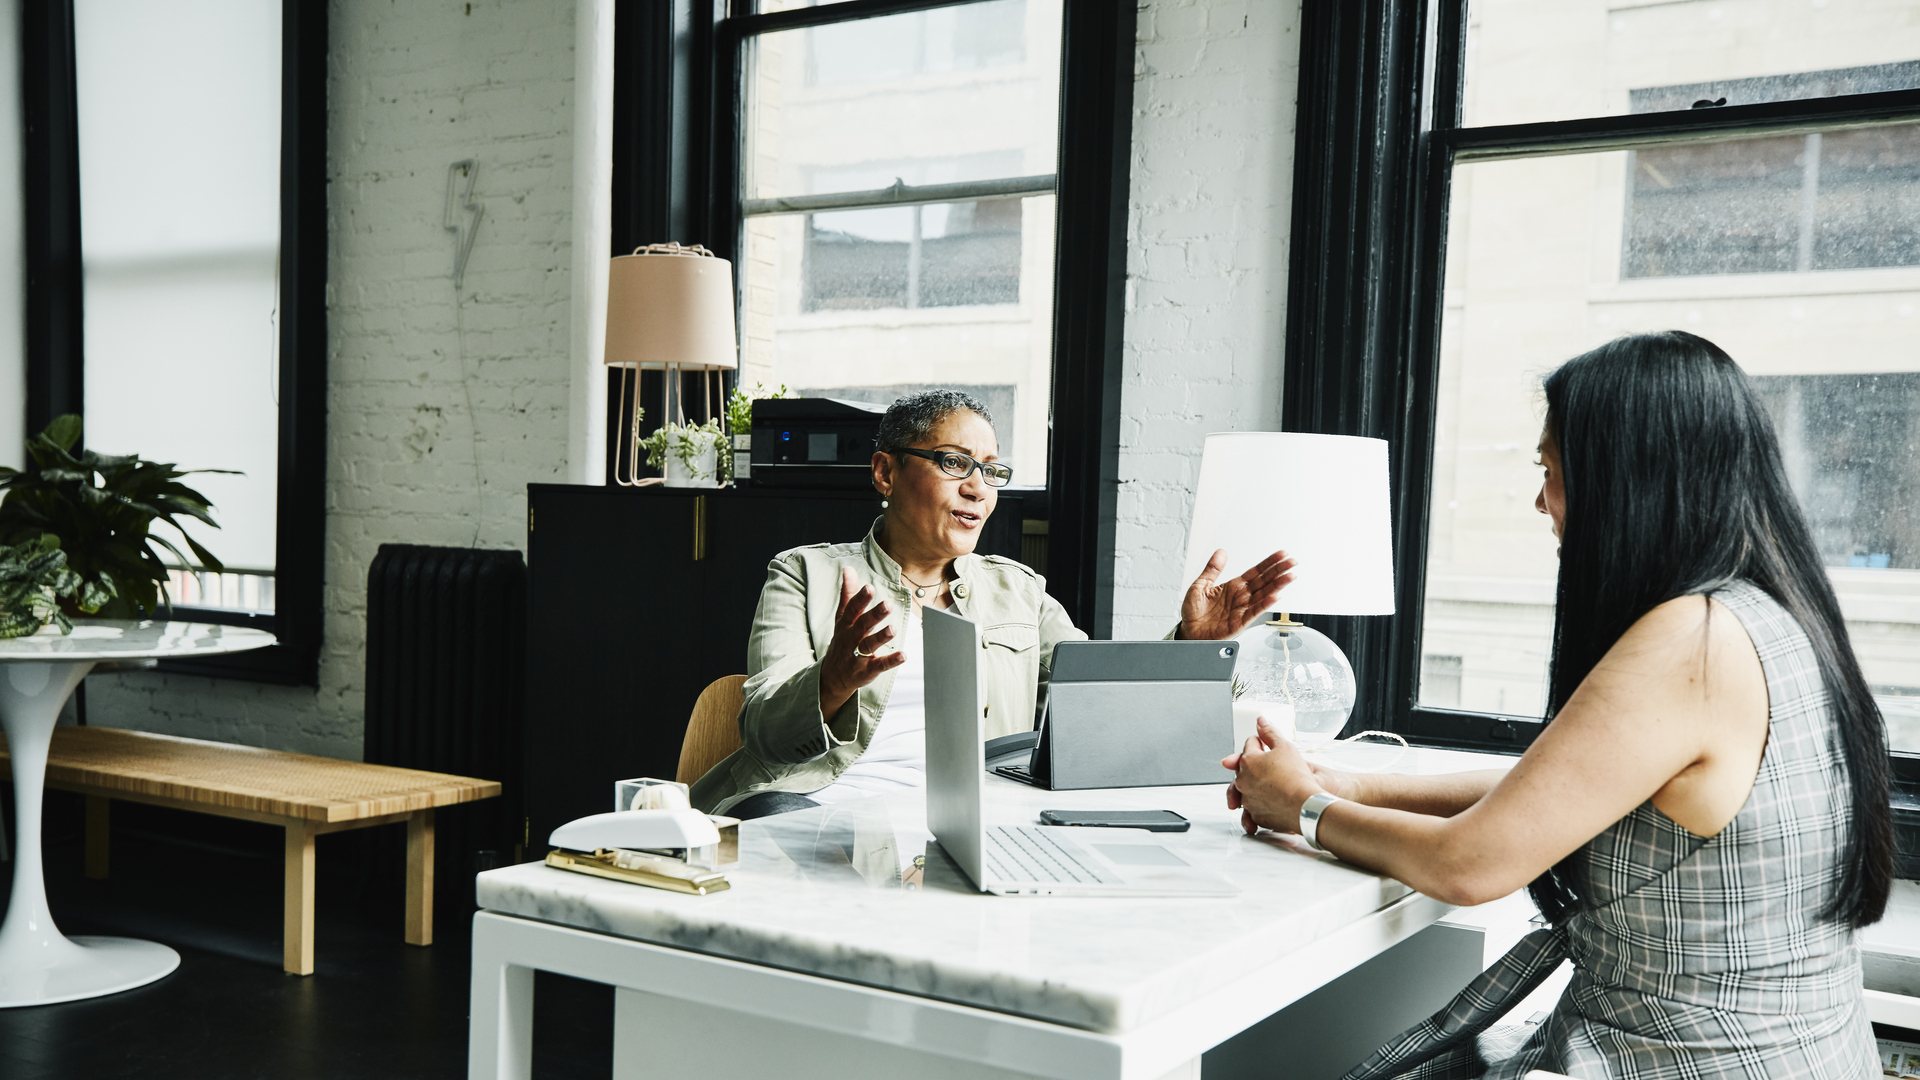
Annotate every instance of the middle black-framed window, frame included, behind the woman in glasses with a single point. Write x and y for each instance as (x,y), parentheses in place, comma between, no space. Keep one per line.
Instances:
(892,182)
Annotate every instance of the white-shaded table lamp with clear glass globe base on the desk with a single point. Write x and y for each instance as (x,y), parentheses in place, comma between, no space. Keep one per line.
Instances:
(1326,501)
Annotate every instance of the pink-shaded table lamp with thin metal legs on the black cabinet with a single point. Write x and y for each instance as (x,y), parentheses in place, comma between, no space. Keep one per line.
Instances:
(669,308)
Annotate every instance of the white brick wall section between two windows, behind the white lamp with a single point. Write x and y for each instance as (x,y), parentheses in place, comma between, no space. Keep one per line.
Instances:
(1207,270)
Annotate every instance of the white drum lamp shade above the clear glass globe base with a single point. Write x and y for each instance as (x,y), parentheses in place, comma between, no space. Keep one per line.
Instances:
(1320,497)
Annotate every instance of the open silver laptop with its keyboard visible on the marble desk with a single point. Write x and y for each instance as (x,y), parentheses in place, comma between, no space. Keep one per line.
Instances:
(1022,860)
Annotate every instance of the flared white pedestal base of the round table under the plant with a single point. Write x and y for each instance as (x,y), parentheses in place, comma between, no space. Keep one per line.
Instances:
(39,966)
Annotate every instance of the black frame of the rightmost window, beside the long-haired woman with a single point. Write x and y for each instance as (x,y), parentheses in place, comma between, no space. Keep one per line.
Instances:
(1380,132)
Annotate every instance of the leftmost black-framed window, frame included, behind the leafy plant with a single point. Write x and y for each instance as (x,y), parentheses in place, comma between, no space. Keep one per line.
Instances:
(176,237)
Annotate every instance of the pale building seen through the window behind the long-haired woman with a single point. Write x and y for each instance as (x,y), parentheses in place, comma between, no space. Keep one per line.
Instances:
(1800,255)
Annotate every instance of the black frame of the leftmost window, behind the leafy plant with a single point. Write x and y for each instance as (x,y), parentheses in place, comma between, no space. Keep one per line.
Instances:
(57,347)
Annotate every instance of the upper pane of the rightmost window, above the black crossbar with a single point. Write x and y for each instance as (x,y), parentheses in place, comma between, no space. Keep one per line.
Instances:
(1541,61)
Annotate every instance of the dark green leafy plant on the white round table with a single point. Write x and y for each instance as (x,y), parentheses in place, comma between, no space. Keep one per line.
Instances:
(103,508)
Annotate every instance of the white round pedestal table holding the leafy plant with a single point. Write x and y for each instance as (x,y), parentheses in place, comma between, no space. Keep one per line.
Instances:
(41,966)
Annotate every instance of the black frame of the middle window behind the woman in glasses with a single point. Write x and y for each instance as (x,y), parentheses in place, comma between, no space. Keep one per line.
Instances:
(677,120)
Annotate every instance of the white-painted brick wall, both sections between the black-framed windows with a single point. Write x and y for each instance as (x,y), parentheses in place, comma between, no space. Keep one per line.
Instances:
(418,86)
